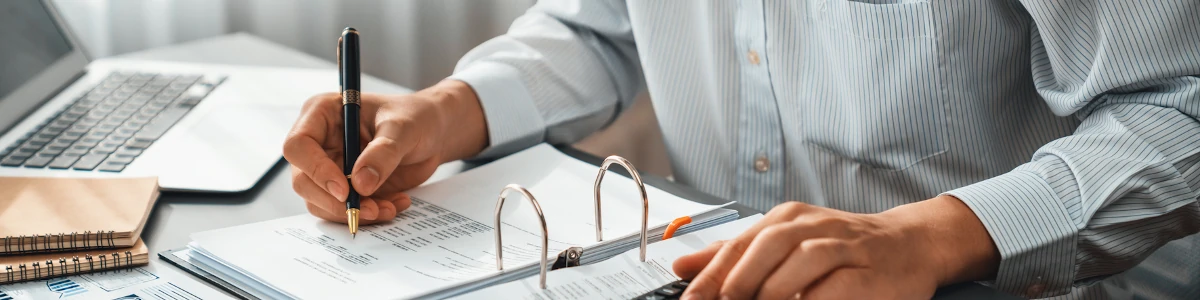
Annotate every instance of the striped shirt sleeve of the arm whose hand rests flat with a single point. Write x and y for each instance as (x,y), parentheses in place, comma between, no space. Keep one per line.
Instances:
(1101,201)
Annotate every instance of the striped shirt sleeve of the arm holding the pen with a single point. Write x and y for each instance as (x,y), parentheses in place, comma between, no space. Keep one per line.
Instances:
(565,70)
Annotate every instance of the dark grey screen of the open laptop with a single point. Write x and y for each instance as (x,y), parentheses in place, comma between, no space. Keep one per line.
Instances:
(32,44)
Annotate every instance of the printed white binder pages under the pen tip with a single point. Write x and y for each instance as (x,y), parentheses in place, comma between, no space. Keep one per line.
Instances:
(446,239)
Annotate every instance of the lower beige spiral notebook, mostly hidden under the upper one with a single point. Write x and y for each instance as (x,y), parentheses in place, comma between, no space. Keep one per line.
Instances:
(37,267)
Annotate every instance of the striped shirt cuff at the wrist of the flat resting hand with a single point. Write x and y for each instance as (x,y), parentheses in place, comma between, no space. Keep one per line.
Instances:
(1031,229)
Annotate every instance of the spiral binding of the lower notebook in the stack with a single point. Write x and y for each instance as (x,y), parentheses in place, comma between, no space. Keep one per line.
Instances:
(75,267)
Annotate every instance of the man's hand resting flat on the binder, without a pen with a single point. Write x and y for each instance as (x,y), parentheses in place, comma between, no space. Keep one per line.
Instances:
(800,251)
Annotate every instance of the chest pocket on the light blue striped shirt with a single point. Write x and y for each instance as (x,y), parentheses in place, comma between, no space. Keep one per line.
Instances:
(881,104)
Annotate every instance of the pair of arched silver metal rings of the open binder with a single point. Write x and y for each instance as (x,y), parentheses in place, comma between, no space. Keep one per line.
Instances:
(572,256)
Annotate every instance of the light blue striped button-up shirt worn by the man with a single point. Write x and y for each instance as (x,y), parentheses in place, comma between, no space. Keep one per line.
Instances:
(1070,128)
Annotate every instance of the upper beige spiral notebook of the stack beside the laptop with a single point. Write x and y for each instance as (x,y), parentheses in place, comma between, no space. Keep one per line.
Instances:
(40,215)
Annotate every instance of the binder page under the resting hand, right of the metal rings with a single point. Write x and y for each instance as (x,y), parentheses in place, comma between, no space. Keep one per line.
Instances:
(620,278)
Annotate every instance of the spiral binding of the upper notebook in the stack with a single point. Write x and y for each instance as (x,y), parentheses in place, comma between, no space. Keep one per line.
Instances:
(62,242)
